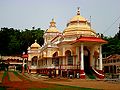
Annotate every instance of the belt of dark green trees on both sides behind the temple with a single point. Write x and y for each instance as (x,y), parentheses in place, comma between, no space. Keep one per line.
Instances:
(14,42)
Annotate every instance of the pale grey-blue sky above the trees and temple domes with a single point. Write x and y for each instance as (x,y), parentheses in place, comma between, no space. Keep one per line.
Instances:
(25,14)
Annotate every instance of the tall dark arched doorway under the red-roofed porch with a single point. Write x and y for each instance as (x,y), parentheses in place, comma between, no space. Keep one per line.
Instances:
(86,61)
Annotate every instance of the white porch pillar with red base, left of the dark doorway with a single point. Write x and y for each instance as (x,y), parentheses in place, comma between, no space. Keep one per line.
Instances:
(82,73)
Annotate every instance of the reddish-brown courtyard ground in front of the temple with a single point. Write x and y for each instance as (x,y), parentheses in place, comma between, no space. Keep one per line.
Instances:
(12,80)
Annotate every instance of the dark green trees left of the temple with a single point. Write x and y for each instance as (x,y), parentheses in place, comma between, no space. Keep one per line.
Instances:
(14,42)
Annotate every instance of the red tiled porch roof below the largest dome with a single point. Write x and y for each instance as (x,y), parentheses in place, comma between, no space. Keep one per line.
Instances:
(91,39)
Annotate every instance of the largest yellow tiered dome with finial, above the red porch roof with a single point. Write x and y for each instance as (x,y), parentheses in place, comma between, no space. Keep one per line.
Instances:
(79,25)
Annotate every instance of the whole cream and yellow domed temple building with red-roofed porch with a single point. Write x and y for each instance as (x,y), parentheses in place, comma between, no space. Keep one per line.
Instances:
(76,52)
